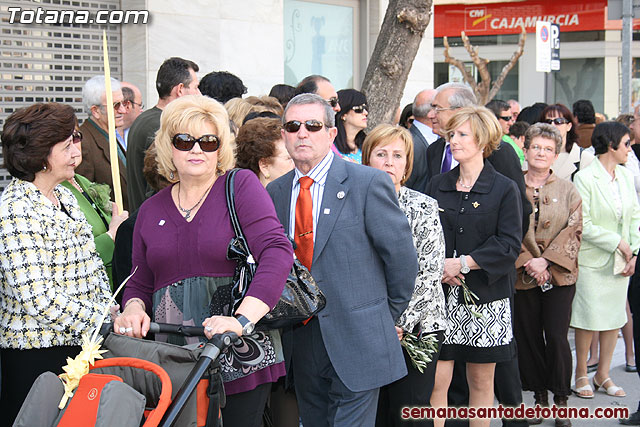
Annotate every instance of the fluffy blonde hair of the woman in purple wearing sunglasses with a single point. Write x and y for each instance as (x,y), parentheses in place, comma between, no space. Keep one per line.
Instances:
(185,114)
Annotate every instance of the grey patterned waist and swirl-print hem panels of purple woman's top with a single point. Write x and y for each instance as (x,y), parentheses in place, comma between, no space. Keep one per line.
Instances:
(188,303)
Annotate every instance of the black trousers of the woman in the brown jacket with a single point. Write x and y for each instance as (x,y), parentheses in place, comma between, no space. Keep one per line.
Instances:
(541,325)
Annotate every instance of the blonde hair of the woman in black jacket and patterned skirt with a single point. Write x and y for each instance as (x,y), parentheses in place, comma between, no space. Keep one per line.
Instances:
(485,127)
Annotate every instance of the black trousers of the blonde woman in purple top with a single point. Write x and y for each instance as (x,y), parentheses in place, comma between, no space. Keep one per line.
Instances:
(246,409)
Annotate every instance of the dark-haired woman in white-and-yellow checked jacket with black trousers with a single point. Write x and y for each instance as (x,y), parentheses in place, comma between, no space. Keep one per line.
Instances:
(53,285)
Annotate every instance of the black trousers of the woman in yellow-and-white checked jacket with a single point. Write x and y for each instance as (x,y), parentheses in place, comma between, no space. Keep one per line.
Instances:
(20,368)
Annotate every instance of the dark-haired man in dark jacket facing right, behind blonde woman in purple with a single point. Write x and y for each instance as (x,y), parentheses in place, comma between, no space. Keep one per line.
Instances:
(176,77)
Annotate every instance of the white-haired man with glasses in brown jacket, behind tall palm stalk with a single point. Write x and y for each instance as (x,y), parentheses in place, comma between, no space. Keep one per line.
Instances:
(96,158)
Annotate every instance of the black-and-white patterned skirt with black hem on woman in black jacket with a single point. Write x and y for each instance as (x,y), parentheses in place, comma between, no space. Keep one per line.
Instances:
(478,334)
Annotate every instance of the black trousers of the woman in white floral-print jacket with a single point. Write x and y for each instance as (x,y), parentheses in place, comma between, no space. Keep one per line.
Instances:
(413,390)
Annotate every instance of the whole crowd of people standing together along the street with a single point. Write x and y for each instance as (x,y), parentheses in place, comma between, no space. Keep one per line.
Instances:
(477,235)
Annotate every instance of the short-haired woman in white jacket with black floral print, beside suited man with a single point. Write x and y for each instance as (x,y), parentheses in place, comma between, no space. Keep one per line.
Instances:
(390,149)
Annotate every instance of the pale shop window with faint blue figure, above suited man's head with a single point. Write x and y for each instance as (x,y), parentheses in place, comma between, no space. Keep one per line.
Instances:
(320,38)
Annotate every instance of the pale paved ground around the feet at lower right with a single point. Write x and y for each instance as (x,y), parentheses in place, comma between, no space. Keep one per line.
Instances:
(630,382)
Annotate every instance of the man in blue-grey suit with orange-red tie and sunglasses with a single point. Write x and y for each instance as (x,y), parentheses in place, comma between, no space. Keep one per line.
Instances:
(364,261)
